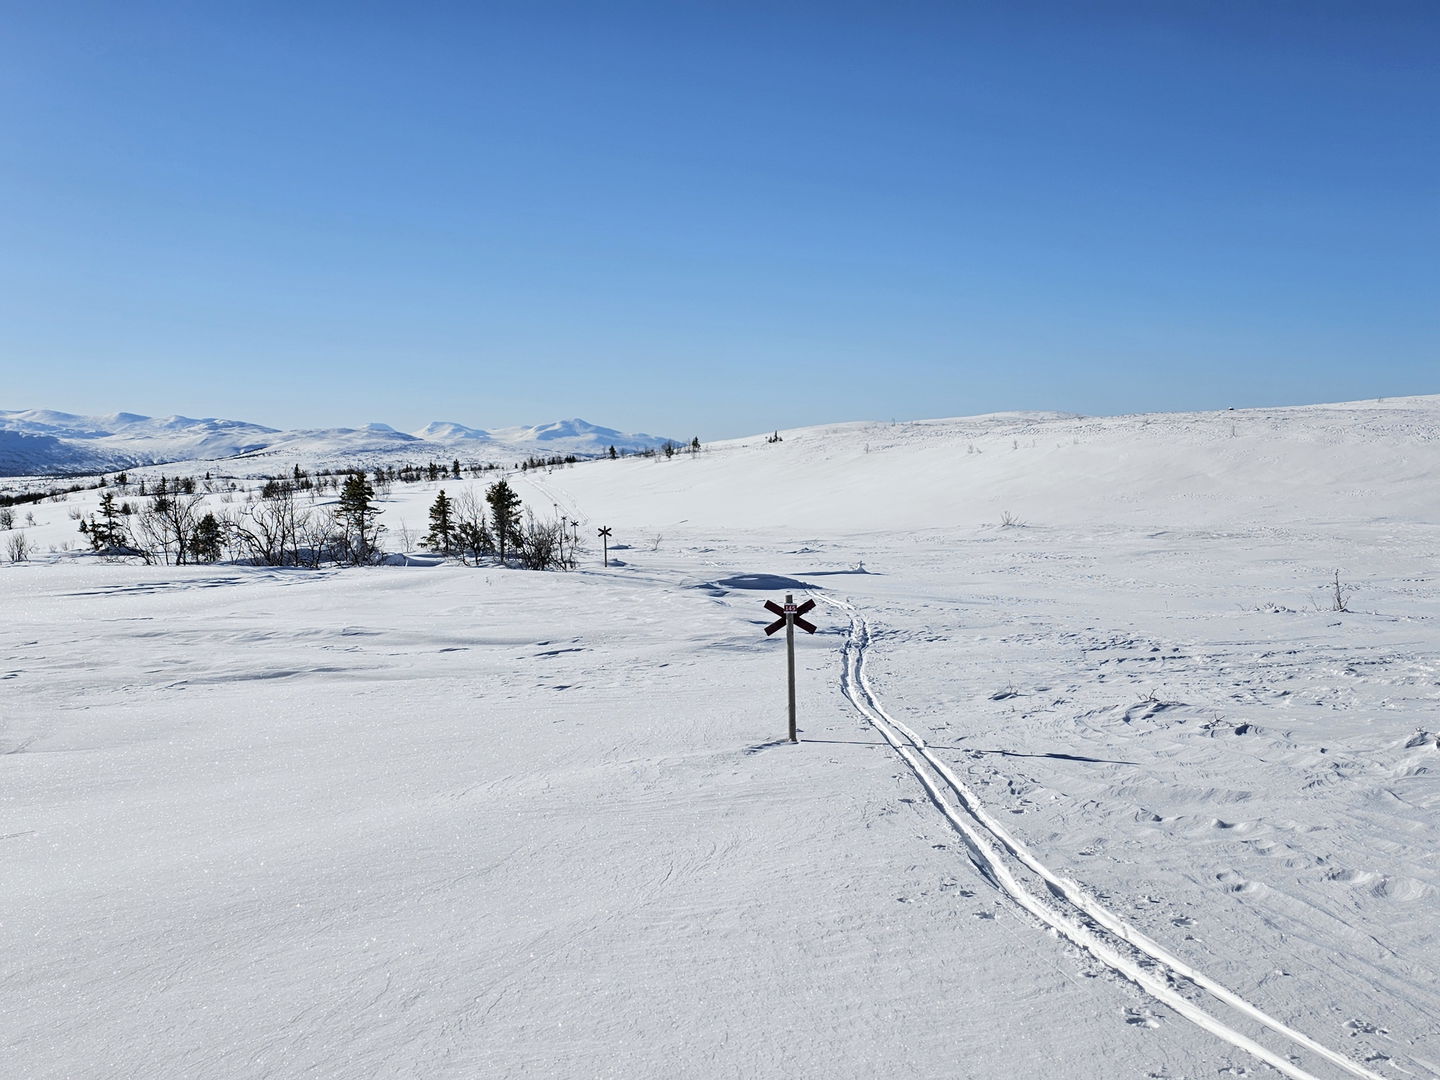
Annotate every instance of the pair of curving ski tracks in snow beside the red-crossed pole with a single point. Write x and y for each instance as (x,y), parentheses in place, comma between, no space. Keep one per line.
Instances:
(1072,912)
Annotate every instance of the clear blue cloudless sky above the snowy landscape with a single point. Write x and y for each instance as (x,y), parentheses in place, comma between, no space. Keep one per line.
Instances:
(715,218)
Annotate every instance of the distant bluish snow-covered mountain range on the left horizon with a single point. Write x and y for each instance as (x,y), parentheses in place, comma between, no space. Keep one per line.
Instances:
(48,443)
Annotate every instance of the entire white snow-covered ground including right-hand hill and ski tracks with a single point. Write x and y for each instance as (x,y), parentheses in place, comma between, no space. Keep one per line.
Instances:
(1107,793)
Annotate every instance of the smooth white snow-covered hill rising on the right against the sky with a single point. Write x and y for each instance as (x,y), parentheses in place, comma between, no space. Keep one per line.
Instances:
(1318,463)
